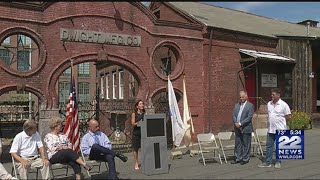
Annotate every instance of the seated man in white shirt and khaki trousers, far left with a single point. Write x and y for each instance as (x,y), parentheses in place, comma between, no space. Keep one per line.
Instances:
(25,150)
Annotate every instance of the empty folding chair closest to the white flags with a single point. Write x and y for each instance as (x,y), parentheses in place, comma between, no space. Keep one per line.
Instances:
(208,143)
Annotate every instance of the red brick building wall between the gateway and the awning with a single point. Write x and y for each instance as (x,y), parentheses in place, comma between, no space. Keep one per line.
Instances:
(225,65)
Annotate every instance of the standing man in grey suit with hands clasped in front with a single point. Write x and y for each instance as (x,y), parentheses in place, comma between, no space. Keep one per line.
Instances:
(242,119)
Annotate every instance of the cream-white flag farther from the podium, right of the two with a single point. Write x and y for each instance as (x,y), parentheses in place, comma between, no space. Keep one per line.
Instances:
(187,119)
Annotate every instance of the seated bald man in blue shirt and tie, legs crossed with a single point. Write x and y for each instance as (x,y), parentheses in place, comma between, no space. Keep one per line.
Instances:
(97,145)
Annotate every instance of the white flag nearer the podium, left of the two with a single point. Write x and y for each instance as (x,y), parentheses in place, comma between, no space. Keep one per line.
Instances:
(178,128)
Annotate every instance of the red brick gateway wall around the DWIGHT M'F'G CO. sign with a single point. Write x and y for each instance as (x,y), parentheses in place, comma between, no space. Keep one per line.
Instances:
(91,16)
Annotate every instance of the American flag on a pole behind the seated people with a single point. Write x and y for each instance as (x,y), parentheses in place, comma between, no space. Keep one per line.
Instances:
(71,129)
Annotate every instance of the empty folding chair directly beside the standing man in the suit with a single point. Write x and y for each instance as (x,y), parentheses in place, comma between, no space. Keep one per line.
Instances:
(226,141)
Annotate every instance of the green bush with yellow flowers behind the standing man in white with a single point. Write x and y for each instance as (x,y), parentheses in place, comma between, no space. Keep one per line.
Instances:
(299,120)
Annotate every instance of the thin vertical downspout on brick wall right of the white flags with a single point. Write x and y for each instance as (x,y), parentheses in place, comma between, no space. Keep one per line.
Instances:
(209,79)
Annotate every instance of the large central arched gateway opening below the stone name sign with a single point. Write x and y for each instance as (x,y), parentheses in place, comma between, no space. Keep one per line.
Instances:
(106,92)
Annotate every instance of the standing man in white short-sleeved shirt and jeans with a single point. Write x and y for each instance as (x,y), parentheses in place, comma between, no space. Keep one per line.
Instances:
(278,113)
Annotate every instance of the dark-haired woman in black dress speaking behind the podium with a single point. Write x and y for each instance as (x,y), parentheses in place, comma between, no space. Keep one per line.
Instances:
(137,116)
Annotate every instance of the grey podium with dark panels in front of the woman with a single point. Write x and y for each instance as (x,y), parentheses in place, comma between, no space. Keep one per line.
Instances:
(154,155)
